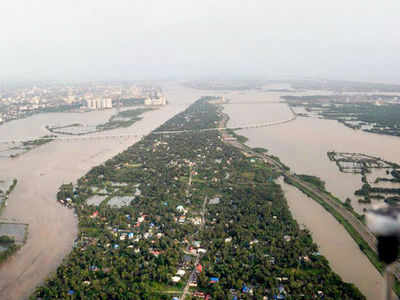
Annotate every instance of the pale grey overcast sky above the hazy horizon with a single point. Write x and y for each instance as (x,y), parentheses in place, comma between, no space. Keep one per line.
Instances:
(90,40)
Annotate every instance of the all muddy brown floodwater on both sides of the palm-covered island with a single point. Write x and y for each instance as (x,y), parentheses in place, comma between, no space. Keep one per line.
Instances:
(301,144)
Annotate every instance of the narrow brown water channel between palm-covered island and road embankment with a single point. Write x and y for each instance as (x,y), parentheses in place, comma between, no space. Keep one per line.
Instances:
(344,255)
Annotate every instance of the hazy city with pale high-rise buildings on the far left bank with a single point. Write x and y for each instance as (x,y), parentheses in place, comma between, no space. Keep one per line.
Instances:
(21,101)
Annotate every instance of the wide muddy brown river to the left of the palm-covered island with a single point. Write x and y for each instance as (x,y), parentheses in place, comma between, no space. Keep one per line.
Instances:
(52,227)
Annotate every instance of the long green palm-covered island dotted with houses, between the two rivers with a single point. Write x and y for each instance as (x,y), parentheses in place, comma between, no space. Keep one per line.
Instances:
(197,202)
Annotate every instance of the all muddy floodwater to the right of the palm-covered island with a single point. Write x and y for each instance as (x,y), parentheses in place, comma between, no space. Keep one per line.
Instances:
(302,145)
